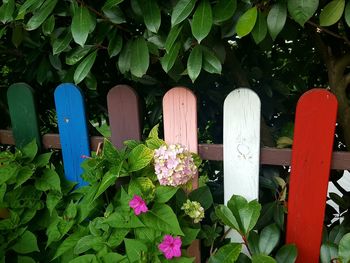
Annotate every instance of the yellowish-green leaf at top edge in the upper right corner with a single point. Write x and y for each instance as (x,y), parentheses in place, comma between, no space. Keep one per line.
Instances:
(332,12)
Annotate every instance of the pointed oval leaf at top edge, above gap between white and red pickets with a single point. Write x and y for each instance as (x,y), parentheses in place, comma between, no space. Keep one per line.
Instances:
(276,19)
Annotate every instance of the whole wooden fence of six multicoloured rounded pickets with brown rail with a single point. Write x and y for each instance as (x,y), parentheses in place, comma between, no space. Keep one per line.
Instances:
(310,160)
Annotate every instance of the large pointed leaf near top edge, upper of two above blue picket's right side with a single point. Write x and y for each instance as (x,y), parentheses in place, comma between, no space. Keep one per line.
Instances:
(82,25)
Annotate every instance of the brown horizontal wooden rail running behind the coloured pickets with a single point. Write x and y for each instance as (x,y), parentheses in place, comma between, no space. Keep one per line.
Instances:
(213,152)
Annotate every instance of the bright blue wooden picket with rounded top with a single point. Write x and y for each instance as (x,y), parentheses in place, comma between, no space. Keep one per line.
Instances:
(73,130)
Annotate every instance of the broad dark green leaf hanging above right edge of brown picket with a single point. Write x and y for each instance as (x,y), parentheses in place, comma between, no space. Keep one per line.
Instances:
(139,57)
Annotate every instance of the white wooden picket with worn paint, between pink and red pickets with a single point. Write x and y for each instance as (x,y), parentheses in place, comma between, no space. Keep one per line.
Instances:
(241,147)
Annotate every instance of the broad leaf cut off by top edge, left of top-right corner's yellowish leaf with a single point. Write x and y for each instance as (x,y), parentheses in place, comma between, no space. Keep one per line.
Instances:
(302,10)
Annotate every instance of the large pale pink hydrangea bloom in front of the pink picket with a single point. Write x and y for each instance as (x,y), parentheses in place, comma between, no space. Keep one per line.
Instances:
(174,165)
